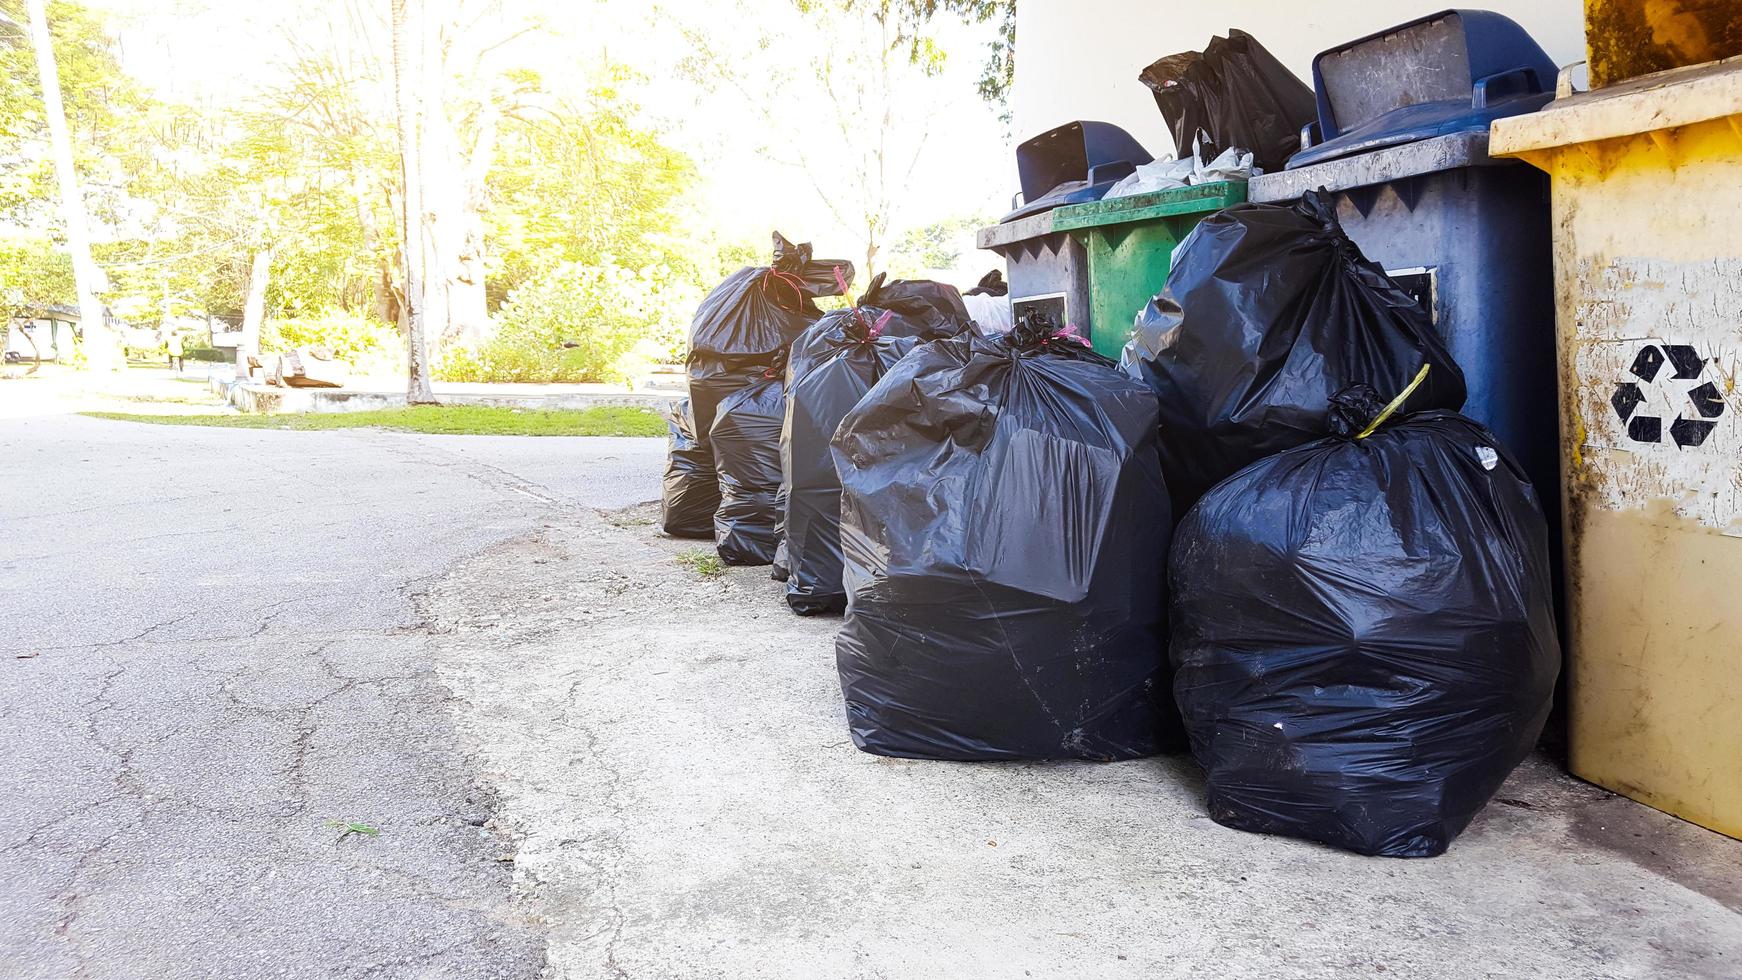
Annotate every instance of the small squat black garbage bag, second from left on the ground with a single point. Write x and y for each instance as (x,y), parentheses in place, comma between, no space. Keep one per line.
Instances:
(748,459)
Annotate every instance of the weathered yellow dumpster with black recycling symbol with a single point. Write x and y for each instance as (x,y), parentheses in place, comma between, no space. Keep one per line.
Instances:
(1647,187)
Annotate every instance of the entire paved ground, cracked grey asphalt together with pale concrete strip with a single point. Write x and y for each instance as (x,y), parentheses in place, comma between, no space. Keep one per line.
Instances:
(588,760)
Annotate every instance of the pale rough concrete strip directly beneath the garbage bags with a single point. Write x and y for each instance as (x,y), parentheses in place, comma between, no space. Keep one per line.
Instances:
(673,756)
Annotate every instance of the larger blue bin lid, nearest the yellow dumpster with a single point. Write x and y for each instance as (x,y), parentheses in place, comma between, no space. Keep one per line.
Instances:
(1445,74)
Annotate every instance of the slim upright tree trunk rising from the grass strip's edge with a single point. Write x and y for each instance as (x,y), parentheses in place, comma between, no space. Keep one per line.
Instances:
(412,43)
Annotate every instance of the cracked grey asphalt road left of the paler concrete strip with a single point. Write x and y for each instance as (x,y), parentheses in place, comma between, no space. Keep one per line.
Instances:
(212,661)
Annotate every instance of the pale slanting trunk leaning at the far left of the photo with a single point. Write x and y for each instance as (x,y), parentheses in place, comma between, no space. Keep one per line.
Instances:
(100,344)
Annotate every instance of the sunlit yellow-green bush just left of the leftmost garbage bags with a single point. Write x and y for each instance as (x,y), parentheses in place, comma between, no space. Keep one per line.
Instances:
(581,323)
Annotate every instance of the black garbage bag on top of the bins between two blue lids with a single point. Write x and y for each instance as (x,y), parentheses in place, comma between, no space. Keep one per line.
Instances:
(1234,93)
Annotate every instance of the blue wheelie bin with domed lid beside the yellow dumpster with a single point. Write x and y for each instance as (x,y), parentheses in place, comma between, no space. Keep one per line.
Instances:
(1403,149)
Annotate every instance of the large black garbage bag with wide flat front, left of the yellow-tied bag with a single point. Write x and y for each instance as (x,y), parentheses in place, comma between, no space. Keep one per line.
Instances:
(1004,525)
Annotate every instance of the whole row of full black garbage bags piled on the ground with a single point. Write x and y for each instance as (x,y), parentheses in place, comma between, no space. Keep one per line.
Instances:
(1267,535)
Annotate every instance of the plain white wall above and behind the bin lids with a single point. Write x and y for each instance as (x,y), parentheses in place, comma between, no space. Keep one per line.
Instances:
(1081,58)
